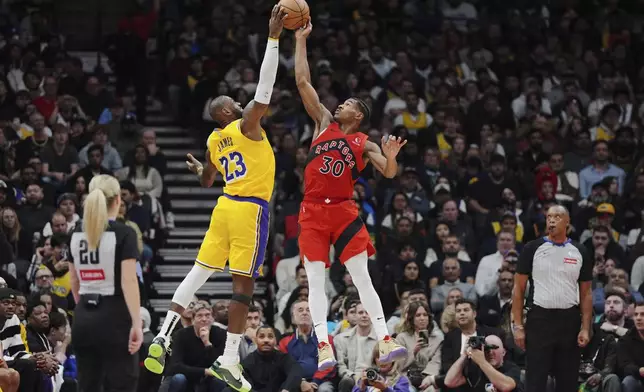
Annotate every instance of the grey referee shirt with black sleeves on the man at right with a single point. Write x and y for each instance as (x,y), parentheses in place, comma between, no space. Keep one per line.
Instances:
(554,271)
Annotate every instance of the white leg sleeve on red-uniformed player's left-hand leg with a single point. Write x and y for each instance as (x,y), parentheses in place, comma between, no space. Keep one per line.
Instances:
(318,303)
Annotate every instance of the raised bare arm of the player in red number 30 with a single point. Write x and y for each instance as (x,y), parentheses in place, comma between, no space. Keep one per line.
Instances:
(310,98)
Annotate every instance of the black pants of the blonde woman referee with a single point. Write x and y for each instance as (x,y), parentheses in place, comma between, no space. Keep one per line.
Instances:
(101,336)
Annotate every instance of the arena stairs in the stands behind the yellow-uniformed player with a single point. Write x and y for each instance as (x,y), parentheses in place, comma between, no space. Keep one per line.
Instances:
(192,206)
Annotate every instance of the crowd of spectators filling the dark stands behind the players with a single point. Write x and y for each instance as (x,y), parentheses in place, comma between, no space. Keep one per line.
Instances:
(508,108)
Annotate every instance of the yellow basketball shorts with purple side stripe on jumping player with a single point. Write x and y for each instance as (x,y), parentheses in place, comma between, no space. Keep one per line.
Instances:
(238,233)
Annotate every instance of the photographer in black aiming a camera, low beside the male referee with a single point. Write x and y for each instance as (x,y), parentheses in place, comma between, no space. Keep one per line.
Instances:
(482,368)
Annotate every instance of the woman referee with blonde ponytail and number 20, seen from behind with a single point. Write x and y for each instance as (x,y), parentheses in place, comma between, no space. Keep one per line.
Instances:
(107,328)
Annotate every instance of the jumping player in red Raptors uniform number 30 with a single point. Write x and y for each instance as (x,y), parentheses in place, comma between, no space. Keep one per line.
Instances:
(328,214)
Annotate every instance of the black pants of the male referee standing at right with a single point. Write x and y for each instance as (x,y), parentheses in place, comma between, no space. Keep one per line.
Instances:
(551,348)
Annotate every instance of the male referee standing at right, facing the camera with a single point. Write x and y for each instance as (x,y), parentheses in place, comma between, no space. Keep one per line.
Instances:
(559,305)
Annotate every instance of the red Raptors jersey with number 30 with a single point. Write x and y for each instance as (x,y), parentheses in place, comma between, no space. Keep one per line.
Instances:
(333,165)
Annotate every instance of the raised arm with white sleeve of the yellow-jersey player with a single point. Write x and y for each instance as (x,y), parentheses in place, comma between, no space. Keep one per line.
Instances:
(254,111)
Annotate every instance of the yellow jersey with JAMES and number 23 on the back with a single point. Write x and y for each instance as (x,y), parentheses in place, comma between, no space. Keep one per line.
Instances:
(248,166)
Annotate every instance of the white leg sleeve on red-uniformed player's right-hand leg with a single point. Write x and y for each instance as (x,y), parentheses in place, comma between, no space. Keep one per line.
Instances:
(357,267)
